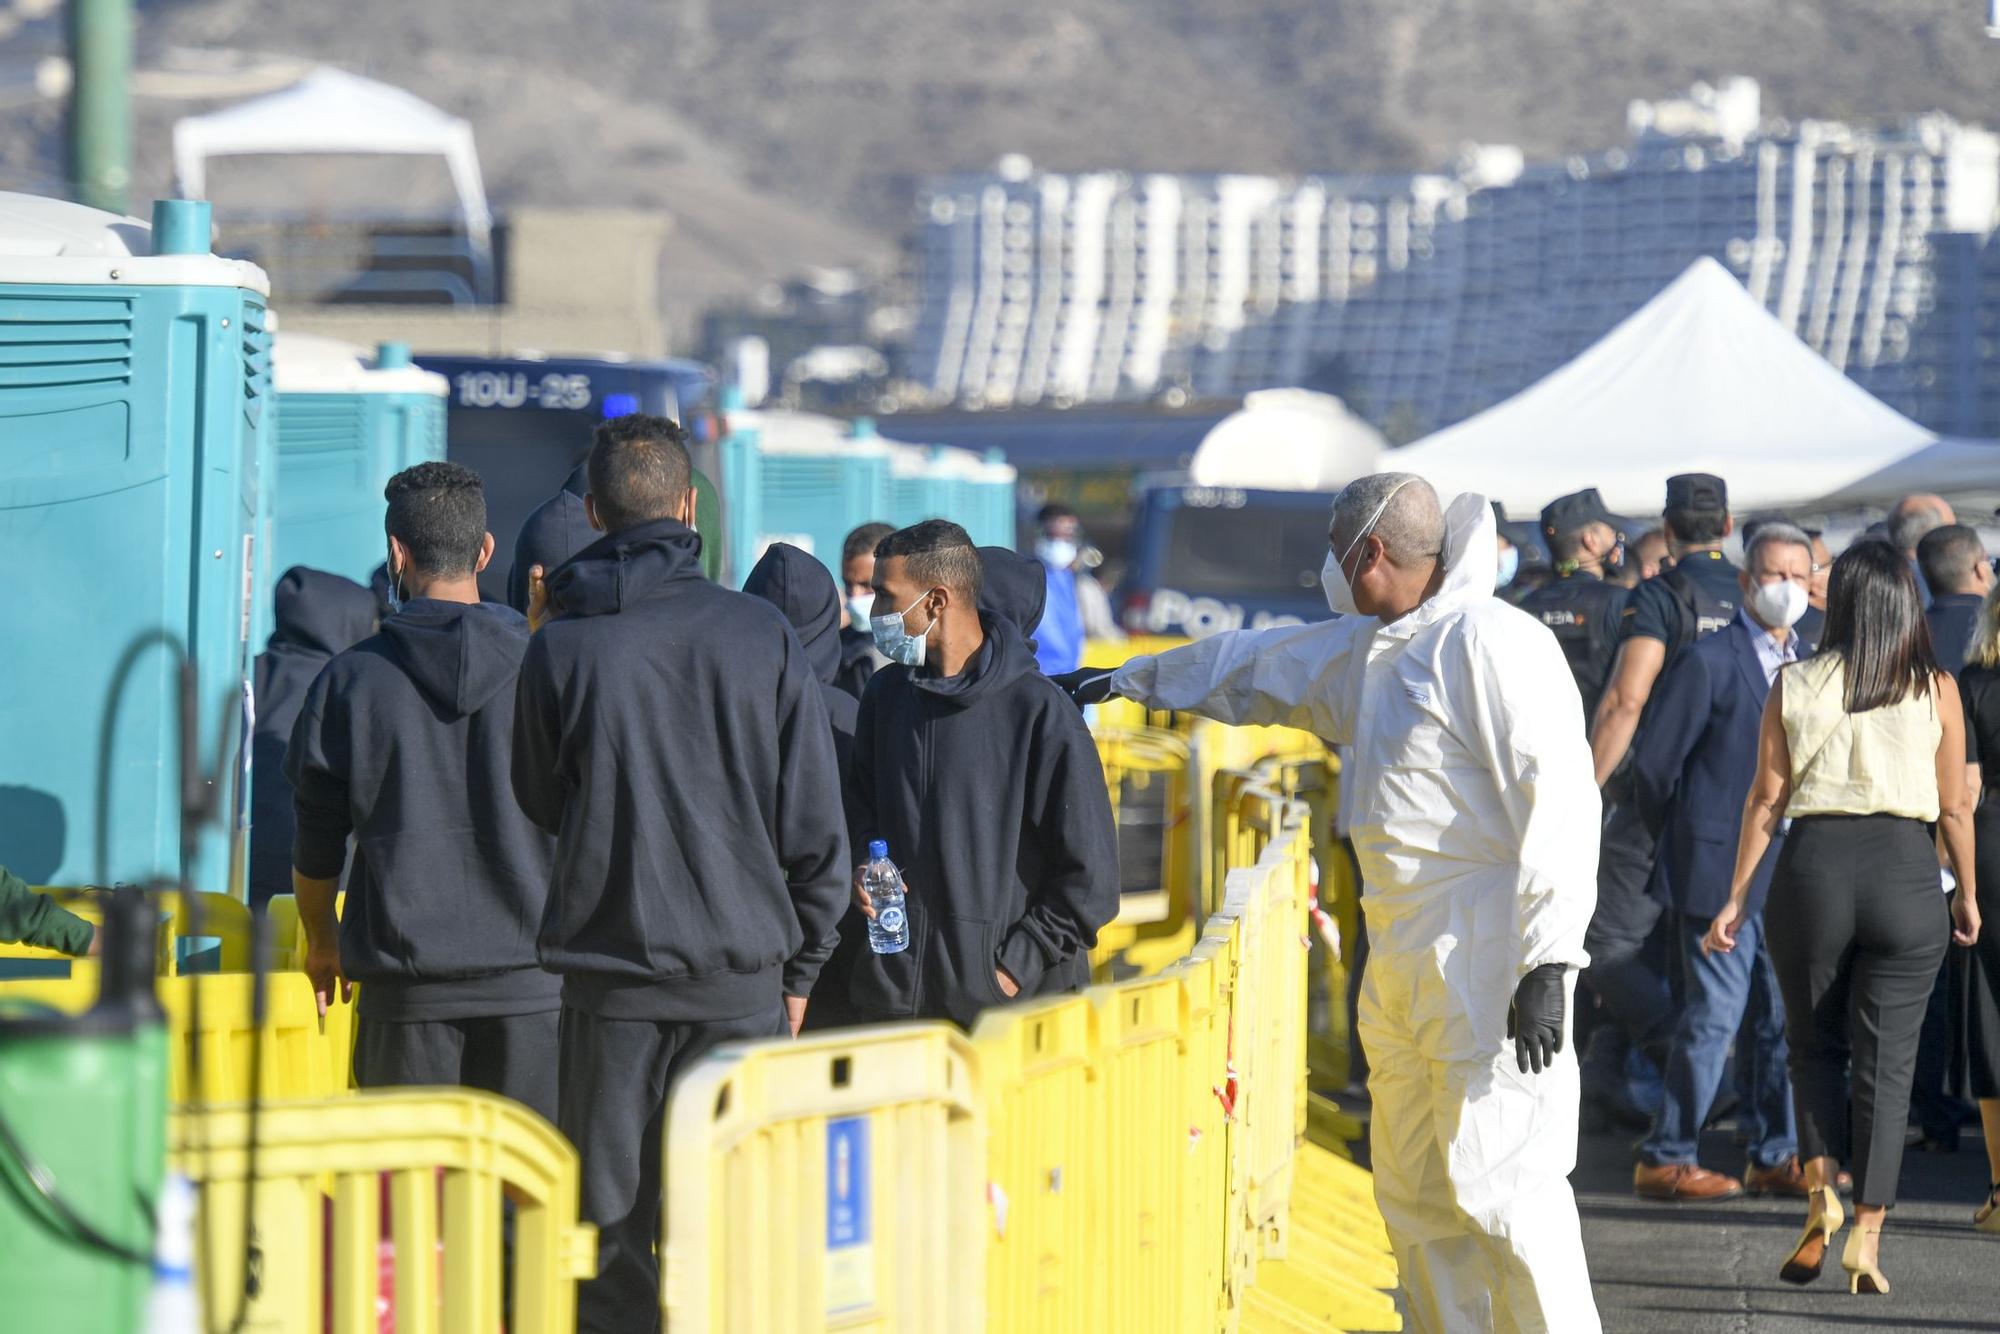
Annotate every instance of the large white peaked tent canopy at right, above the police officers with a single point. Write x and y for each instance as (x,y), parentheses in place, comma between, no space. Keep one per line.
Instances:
(1701,379)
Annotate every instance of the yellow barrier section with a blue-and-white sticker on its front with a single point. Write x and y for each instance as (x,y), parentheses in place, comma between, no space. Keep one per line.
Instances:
(831,1183)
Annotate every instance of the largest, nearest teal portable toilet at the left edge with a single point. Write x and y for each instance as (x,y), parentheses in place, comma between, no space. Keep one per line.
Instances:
(135,379)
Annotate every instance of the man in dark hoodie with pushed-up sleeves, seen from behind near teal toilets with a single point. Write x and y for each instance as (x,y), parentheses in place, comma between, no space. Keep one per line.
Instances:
(405,743)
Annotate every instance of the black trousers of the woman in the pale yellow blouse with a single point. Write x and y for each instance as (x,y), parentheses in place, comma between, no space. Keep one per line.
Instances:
(1857,929)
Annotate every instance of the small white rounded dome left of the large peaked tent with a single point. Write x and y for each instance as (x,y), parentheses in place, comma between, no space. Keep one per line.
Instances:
(1287,441)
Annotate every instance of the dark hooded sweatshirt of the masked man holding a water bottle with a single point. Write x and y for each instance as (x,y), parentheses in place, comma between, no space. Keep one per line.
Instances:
(989,793)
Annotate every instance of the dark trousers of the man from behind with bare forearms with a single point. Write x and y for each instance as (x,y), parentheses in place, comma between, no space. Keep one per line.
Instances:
(509,1055)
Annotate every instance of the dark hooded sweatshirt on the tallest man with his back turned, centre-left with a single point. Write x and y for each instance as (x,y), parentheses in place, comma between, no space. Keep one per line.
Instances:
(673,737)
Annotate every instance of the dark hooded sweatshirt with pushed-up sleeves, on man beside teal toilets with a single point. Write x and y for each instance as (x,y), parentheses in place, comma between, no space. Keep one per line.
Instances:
(407,743)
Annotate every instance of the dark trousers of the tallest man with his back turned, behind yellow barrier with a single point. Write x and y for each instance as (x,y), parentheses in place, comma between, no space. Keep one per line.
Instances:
(617,1077)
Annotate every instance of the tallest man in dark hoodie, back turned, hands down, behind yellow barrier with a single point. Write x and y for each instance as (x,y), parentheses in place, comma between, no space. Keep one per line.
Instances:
(673,737)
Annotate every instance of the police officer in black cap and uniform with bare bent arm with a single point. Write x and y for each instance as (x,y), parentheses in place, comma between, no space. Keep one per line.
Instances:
(1661,619)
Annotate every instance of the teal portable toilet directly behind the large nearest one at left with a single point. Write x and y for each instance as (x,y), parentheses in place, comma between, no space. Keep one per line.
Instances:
(345,425)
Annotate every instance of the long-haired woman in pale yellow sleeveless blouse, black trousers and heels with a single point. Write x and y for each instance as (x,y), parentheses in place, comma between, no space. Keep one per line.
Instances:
(1863,749)
